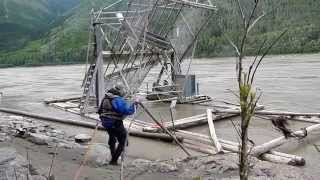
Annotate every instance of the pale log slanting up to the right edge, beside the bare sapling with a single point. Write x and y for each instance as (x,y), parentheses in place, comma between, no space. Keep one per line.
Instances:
(263,148)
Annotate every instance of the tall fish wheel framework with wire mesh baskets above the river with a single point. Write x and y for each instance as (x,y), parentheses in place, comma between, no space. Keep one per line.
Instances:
(134,40)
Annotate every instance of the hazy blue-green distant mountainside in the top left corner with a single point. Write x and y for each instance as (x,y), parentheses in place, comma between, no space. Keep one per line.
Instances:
(24,20)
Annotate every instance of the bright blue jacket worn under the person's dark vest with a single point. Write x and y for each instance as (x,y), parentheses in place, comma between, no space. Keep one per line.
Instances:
(120,105)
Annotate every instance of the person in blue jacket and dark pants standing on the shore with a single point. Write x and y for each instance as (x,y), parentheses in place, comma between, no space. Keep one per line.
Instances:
(113,110)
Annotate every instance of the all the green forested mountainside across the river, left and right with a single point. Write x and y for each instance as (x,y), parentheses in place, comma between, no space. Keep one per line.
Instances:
(65,29)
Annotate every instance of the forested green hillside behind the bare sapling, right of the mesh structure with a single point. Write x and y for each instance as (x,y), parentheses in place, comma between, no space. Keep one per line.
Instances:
(300,17)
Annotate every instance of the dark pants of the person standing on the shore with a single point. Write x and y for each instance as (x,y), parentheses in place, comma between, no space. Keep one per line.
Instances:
(117,134)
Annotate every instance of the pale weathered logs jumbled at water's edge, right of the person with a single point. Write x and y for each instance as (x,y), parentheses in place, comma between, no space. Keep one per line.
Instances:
(212,145)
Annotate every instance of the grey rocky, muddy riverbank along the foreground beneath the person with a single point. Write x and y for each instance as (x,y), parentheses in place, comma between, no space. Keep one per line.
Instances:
(19,135)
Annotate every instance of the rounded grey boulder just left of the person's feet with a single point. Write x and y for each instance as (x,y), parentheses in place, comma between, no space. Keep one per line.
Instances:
(98,155)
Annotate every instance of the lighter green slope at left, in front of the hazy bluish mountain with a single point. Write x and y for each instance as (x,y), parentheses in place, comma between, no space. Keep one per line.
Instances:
(63,42)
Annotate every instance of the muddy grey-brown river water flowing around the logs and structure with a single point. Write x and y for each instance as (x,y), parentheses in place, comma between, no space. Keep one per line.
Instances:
(288,82)
